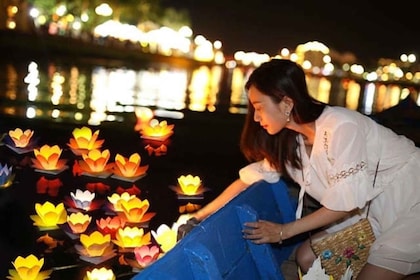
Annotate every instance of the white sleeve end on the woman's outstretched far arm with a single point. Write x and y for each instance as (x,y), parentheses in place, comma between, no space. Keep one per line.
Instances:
(261,170)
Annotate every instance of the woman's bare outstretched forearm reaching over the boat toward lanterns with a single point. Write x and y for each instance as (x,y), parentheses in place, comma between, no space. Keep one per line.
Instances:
(230,192)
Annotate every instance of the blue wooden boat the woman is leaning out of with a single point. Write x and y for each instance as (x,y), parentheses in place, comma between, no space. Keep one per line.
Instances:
(215,249)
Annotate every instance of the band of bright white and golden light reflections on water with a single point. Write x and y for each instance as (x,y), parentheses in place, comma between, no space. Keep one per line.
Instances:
(91,94)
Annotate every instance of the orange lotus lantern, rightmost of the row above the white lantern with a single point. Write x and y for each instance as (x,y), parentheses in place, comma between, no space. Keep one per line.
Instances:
(129,167)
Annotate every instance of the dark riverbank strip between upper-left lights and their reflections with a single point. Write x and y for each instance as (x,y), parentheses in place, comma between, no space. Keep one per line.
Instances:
(87,49)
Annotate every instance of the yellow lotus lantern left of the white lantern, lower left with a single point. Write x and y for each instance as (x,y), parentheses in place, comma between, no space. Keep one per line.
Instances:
(49,215)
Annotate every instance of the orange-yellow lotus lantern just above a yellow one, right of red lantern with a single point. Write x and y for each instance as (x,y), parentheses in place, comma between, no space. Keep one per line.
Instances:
(135,210)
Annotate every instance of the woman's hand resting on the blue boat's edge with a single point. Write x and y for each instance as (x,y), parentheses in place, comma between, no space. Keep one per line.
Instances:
(263,232)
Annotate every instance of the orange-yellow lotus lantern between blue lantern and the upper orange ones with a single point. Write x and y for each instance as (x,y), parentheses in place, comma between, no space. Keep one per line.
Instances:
(48,158)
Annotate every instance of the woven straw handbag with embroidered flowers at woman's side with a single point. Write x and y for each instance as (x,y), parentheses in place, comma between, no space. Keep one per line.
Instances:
(345,248)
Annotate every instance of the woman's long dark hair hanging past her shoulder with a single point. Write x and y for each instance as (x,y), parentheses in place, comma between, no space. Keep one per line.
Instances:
(278,78)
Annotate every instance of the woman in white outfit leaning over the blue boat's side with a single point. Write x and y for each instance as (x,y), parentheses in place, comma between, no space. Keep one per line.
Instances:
(333,154)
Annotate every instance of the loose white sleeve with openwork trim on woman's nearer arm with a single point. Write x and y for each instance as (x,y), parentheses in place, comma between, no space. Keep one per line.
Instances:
(350,185)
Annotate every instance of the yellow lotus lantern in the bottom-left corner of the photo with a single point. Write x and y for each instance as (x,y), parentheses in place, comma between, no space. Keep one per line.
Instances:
(28,268)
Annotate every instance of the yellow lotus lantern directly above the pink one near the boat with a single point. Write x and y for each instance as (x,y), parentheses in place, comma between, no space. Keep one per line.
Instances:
(132,237)
